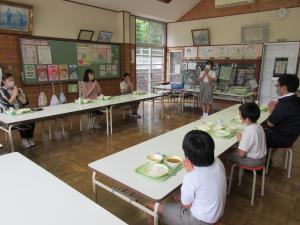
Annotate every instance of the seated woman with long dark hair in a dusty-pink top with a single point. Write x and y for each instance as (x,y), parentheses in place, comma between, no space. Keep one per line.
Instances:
(91,90)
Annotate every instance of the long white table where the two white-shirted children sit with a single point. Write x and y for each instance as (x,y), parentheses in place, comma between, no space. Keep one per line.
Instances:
(120,166)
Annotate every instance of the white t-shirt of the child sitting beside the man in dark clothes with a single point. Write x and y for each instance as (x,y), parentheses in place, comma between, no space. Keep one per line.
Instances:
(254,141)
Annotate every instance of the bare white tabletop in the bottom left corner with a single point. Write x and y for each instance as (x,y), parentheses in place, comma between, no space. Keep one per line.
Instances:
(29,195)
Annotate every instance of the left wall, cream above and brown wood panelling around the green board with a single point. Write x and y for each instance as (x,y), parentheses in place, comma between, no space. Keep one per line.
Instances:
(60,19)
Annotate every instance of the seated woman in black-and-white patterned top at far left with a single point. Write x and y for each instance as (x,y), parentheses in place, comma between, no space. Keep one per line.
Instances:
(13,97)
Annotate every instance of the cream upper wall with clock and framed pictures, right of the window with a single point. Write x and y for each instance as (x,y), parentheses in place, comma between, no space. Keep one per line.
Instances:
(227,30)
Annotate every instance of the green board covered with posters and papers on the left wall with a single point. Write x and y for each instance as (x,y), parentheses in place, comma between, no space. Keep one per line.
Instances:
(52,61)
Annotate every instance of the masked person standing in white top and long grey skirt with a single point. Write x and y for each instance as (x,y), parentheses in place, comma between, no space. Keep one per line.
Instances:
(207,78)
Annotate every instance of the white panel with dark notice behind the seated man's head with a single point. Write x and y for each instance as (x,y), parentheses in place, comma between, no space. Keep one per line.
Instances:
(271,52)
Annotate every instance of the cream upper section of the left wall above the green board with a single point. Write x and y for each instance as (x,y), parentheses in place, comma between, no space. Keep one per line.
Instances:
(57,18)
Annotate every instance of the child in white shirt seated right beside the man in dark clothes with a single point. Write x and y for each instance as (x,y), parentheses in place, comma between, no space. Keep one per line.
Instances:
(252,147)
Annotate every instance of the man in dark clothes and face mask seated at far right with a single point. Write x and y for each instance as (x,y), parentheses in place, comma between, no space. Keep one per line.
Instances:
(284,121)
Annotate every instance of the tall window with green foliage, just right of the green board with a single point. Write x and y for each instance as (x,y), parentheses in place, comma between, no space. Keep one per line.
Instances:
(150,57)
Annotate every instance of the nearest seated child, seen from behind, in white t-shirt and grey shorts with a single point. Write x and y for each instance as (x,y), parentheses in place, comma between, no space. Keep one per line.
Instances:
(203,190)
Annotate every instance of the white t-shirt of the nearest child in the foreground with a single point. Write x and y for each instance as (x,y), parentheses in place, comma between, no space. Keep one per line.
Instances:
(205,189)
